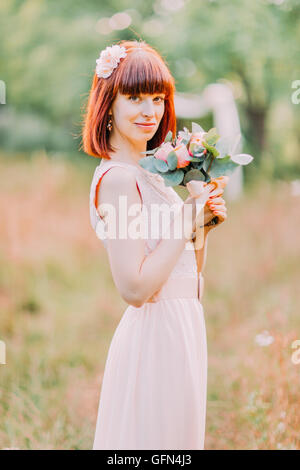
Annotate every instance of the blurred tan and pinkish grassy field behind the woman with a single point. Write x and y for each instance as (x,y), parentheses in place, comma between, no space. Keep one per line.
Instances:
(59,309)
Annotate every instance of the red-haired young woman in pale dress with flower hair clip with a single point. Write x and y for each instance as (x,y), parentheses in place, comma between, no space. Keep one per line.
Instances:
(153,393)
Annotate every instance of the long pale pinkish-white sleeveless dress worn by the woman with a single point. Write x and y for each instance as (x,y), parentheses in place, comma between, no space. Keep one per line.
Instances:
(153,393)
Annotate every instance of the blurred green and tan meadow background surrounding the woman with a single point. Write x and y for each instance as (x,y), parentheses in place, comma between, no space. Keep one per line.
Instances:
(236,65)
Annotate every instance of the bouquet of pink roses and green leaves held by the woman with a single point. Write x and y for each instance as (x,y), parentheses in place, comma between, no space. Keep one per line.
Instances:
(197,155)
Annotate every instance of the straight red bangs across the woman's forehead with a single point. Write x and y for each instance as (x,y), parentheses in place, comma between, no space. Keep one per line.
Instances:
(144,74)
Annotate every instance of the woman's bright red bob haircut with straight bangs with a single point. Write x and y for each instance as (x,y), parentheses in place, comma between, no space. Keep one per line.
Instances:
(140,72)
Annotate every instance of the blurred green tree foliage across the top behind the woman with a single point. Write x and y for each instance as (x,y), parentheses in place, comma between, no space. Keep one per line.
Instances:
(48,52)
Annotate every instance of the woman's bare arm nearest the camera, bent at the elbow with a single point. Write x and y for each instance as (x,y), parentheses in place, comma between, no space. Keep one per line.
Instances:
(136,276)
